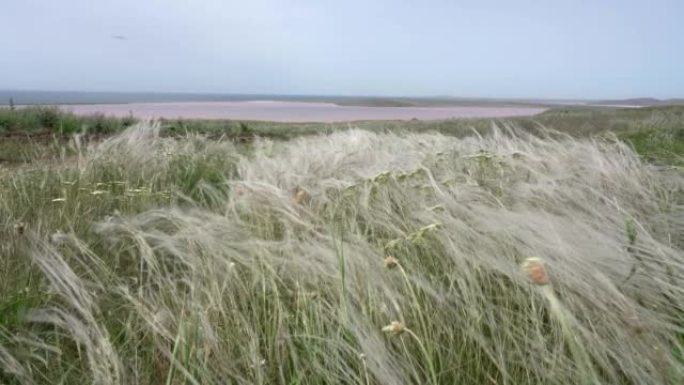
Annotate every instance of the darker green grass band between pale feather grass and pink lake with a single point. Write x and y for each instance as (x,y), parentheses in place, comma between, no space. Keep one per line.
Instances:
(656,133)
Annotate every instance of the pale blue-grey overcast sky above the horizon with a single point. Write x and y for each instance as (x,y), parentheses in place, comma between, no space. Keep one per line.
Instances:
(470,48)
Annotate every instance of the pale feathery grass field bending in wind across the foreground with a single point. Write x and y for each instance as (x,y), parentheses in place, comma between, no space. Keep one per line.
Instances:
(354,257)
